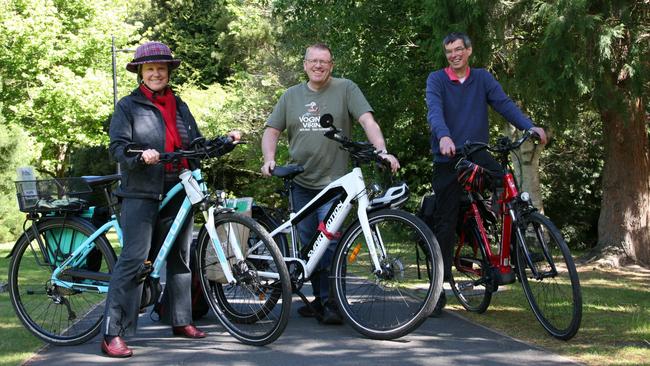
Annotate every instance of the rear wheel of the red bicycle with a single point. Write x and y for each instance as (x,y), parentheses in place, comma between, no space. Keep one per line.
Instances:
(470,276)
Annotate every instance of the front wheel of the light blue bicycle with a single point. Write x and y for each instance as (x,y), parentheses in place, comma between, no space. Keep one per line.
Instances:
(254,310)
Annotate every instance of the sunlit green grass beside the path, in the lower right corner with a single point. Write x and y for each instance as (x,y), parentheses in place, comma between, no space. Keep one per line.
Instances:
(615,326)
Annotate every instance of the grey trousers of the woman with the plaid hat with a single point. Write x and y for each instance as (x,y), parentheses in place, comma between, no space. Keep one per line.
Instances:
(143,228)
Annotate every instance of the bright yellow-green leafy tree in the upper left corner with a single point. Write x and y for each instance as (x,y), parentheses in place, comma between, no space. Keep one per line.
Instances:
(55,69)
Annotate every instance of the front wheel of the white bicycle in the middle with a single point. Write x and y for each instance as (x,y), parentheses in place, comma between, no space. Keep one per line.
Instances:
(395,302)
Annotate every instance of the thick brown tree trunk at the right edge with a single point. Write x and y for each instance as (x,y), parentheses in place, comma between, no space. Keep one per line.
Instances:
(624,222)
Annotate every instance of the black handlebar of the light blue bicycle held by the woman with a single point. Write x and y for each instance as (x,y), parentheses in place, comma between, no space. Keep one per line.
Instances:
(201,149)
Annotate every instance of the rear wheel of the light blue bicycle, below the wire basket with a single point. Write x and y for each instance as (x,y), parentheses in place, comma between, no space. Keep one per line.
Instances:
(57,315)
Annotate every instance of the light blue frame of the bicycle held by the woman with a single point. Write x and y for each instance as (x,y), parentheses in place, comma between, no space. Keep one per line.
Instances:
(80,253)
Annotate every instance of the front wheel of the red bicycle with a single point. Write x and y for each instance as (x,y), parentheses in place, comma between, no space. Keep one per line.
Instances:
(555,299)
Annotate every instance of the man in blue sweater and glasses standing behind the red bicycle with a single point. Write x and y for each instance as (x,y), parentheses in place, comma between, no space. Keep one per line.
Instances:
(457,99)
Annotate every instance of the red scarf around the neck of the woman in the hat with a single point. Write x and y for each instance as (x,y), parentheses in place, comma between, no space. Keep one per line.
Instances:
(166,103)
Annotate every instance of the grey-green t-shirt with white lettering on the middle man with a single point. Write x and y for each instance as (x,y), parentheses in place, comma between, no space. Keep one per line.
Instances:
(299,110)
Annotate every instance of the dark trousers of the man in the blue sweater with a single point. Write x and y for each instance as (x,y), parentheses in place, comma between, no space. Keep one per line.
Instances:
(448,193)
